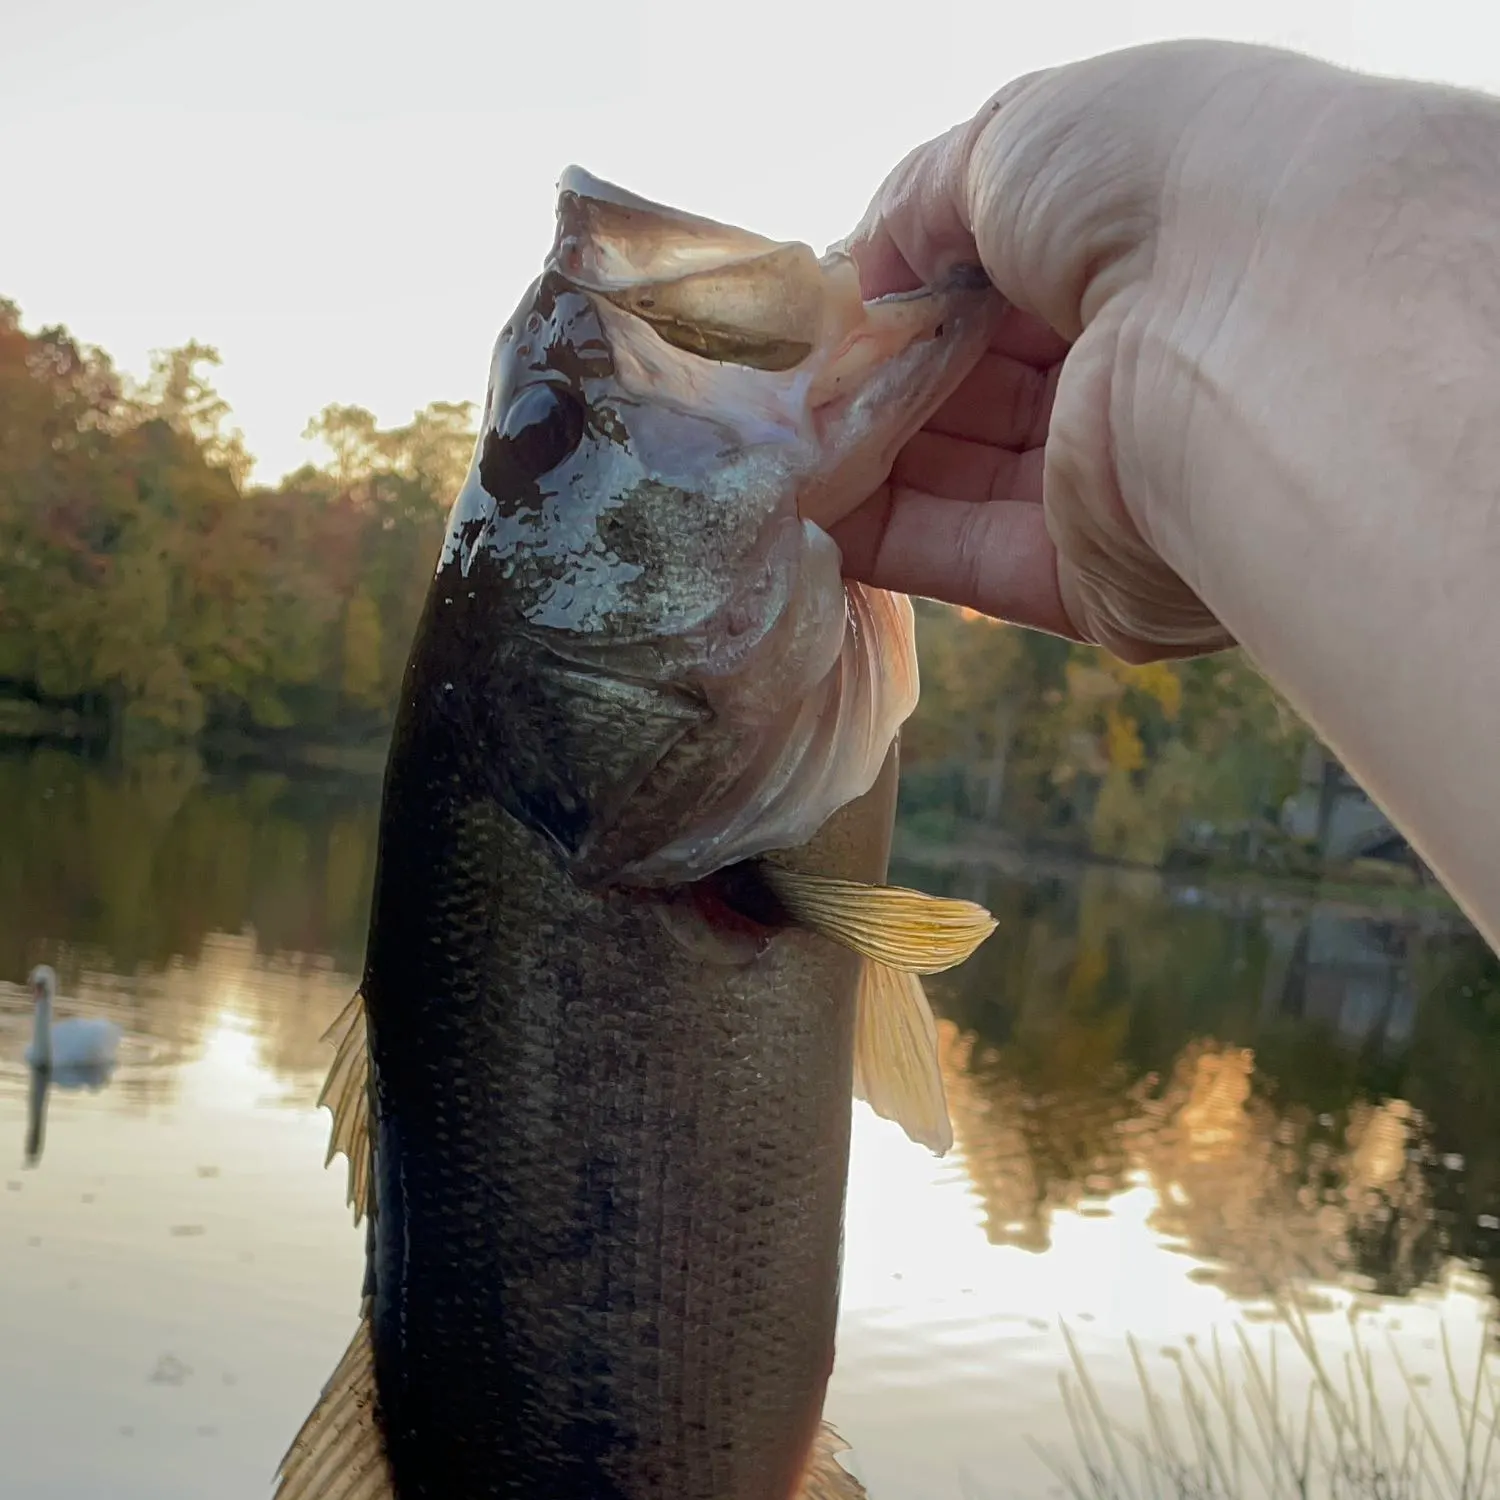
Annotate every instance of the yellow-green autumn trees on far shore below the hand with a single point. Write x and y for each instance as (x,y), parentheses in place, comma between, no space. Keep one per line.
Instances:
(1087,749)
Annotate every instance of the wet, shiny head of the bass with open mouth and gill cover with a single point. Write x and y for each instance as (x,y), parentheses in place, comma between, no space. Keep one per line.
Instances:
(676,413)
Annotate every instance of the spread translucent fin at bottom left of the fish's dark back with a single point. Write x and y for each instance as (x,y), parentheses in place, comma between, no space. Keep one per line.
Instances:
(340,1454)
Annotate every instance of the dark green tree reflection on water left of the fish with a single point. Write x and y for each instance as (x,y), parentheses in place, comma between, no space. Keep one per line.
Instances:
(139,868)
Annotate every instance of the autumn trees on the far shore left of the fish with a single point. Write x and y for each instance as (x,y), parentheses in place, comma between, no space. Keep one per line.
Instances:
(146,584)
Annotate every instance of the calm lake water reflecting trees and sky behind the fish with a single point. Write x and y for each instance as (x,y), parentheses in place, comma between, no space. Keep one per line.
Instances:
(1180,1112)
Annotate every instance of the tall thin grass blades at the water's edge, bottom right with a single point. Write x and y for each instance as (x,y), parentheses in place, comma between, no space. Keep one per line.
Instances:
(1228,1435)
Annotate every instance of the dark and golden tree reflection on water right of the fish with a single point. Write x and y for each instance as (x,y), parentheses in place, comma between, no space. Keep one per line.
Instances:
(1303,1091)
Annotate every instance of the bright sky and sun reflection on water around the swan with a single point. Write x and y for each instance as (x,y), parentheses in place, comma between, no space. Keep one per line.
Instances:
(179,1273)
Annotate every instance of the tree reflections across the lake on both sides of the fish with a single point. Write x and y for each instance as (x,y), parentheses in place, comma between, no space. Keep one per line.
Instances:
(1306,1087)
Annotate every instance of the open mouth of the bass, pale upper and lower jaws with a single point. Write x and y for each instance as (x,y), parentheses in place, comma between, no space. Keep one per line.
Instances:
(865,374)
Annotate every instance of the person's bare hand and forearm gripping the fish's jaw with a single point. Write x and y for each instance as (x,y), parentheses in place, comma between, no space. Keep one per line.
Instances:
(1246,389)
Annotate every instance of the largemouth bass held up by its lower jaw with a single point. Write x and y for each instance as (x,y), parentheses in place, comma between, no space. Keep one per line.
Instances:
(631,952)
